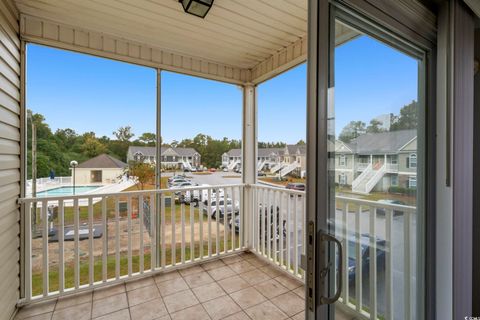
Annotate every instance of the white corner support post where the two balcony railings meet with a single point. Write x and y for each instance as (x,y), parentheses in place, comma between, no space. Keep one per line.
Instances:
(249,161)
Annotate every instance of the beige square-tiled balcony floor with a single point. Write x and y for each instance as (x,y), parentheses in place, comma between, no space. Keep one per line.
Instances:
(235,287)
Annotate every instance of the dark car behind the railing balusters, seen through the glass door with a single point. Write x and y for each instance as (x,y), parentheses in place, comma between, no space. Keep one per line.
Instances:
(365,255)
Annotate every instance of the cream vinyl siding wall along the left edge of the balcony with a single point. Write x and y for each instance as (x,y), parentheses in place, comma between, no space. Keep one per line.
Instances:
(9,158)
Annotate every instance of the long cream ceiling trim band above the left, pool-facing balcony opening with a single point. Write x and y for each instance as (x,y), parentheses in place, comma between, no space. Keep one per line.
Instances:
(59,35)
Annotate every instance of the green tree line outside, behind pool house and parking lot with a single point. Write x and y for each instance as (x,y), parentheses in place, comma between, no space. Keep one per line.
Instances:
(56,149)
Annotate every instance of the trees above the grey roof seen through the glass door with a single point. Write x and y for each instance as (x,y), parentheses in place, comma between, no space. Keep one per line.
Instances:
(407,119)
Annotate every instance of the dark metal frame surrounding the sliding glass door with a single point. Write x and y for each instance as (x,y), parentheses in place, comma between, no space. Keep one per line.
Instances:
(414,24)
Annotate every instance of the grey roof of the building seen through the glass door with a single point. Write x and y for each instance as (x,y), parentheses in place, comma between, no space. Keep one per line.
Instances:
(384,142)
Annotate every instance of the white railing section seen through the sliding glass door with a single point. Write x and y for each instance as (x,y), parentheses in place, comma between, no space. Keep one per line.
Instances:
(388,227)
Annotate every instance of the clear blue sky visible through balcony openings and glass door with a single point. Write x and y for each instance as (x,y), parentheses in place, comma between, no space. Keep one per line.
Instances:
(88,93)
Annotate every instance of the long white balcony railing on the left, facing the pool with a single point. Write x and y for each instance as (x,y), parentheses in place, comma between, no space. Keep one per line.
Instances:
(96,235)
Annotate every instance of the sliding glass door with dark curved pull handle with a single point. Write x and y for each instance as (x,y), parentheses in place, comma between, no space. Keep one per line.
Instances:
(372,239)
